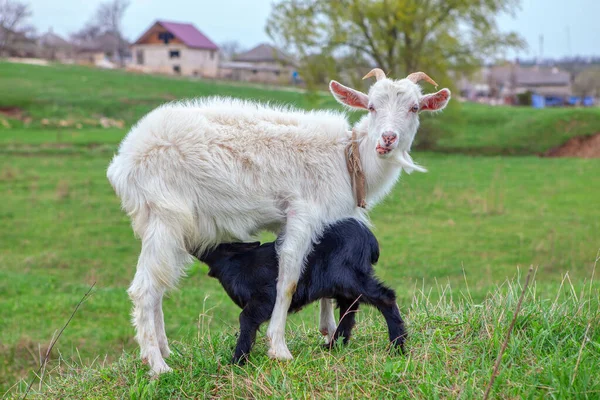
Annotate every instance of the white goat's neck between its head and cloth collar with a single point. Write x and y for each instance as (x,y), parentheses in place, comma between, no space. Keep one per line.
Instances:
(380,173)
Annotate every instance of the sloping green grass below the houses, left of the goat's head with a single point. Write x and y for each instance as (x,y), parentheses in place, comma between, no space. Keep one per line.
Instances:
(79,95)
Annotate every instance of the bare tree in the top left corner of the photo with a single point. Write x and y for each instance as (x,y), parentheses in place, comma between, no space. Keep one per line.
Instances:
(13,23)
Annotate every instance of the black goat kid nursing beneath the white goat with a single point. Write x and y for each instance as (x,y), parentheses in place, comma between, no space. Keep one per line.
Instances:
(339,267)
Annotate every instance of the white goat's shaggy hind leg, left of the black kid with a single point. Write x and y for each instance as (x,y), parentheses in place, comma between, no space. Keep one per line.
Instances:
(160,264)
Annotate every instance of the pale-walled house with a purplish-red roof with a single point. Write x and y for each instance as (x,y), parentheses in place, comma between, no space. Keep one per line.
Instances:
(176,48)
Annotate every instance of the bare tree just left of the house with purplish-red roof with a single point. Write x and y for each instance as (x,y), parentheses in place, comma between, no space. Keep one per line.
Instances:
(107,19)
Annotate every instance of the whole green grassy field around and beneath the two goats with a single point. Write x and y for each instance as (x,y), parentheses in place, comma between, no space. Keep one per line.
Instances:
(454,242)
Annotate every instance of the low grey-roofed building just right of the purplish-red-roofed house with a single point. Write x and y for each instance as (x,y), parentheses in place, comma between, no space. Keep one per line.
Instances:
(264,63)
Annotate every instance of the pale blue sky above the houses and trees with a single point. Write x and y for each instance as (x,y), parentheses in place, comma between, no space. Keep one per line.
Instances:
(244,21)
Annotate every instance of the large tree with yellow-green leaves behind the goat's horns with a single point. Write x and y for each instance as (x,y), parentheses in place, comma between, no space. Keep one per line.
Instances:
(399,36)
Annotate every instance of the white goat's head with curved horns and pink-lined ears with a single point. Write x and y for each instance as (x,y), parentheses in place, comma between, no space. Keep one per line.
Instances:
(393,107)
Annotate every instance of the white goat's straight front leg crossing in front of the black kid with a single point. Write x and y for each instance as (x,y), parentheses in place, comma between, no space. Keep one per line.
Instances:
(300,231)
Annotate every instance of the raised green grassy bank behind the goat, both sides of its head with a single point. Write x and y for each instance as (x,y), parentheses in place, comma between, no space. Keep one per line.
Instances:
(74,95)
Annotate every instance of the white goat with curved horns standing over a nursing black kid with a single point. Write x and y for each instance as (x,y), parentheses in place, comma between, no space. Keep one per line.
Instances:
(193,175)
